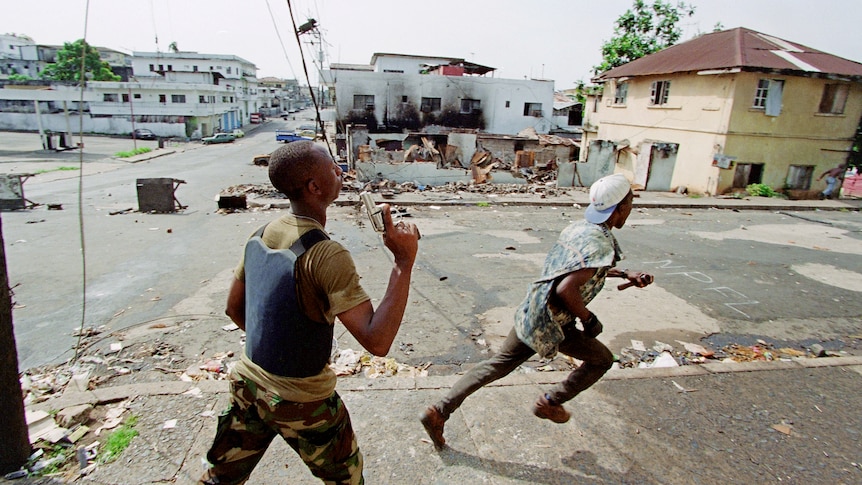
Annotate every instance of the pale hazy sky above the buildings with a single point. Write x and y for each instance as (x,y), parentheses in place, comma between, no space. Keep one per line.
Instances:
(545,39)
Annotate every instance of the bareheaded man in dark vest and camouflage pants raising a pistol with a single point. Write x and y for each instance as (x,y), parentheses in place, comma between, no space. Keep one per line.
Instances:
(291,284)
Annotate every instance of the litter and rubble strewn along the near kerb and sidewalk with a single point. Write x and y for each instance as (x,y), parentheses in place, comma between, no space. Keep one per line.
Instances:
(68,439)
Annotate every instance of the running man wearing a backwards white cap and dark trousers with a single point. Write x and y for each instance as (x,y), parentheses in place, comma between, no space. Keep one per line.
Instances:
(575,271)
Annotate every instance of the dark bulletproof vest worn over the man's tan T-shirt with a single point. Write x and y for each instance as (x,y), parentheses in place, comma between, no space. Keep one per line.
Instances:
(279,337)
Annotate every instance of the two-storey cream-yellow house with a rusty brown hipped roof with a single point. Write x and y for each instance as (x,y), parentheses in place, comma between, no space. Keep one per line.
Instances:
(722,111)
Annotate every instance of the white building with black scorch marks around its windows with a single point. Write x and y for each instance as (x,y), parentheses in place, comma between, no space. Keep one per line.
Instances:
(398,91)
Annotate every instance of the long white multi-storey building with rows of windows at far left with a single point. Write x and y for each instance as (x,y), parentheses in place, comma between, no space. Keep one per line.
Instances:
(182,94)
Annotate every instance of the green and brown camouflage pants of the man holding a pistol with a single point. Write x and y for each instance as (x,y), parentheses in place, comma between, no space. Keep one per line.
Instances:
(319,431)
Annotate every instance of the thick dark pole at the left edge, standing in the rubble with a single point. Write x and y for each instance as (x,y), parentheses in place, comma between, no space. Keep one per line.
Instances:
(14,438)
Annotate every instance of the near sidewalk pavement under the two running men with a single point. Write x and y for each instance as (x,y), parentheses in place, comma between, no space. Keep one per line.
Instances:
(793,421)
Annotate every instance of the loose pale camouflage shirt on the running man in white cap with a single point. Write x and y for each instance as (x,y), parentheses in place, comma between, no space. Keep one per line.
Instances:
(581,245)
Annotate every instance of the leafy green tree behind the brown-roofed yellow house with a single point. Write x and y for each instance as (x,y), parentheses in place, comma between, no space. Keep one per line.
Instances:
(642,30)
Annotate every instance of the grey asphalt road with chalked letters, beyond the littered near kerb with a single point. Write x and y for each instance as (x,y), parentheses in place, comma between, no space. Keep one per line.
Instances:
(788,277)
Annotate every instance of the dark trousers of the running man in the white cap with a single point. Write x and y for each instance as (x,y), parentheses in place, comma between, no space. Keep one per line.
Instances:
(597,359)
